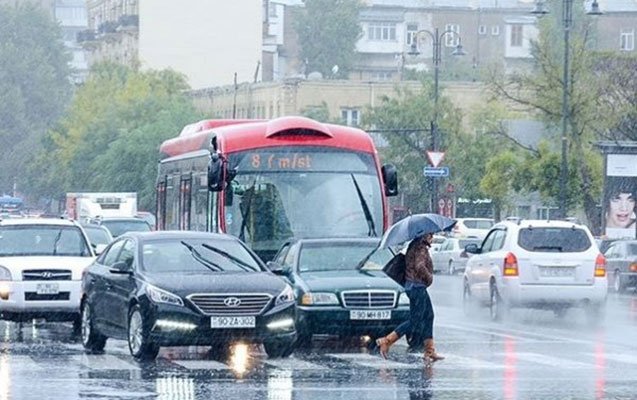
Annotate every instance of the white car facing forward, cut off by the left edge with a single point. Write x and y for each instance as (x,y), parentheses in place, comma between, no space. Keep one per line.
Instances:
(41,265)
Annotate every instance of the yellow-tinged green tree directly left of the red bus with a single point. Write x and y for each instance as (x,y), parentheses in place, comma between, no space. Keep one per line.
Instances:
(109,139)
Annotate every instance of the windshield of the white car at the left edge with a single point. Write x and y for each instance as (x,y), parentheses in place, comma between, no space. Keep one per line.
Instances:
(42,240)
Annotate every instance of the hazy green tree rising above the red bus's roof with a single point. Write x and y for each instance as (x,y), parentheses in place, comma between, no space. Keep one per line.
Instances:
(328,31)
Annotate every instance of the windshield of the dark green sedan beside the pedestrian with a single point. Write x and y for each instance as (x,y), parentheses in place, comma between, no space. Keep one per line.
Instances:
(316,257)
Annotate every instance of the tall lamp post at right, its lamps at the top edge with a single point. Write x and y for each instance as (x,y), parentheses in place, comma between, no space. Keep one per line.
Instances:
(567,24)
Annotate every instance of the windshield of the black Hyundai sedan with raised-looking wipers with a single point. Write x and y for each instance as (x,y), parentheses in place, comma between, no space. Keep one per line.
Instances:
(170,256)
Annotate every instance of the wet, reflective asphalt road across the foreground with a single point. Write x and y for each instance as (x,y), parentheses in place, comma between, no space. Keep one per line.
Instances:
(532,355)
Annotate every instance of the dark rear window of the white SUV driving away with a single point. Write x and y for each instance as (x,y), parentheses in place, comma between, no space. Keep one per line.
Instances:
(561,240)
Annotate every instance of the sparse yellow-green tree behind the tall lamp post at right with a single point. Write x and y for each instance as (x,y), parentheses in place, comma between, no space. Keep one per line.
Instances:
(540,90)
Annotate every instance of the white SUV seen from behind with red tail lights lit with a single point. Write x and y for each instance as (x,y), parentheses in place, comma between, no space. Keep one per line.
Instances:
(550,265)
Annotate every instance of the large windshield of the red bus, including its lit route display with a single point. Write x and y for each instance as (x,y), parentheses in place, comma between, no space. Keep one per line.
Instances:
(303,193)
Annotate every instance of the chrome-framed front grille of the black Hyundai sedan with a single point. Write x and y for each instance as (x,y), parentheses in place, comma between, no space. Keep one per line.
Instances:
(231,304)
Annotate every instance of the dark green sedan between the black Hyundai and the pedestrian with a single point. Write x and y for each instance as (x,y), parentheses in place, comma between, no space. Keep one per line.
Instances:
(333,296)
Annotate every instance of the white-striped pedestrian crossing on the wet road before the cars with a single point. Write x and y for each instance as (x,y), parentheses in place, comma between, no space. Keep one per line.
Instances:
(399,360)
